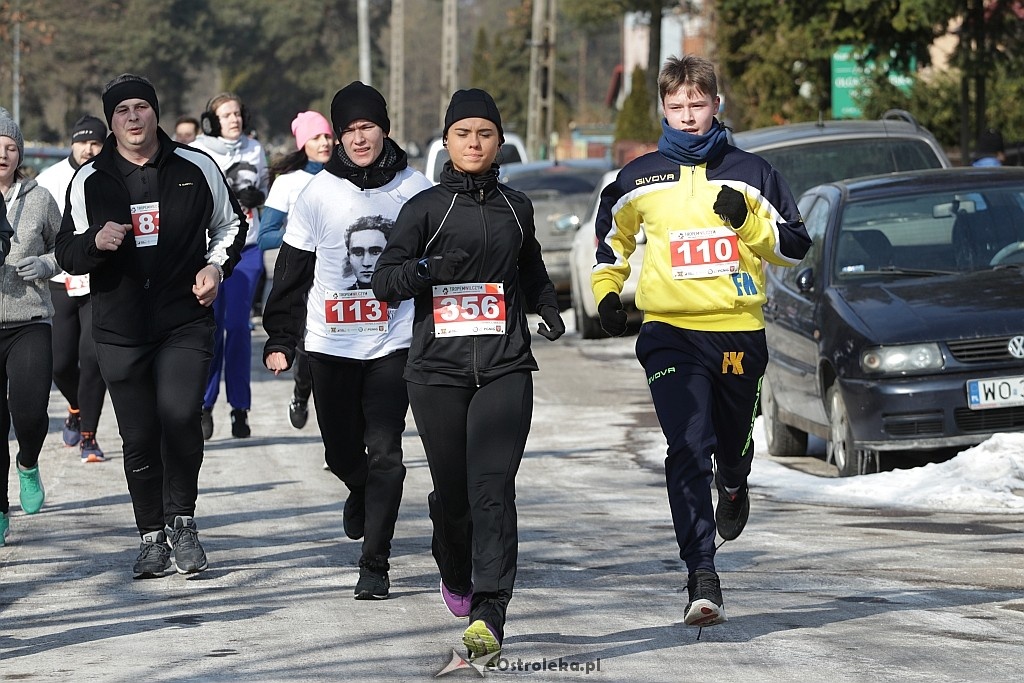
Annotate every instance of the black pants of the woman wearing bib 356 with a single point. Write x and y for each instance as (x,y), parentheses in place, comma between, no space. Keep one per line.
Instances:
(475,440)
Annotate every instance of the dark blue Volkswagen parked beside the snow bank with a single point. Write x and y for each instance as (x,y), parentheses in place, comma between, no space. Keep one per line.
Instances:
(904,327)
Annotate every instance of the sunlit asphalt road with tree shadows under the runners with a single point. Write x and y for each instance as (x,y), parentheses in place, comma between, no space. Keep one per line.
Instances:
(814,593)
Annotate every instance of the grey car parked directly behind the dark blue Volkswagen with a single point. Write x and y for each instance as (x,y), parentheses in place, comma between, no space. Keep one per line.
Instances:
(809,154)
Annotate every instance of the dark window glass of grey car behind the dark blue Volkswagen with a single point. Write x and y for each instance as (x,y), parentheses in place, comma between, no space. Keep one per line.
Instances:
(804,166)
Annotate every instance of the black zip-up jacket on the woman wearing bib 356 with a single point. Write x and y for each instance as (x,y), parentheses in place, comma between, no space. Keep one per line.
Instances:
(495,226)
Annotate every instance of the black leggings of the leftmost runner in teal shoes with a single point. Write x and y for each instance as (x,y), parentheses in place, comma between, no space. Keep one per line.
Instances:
(26,367)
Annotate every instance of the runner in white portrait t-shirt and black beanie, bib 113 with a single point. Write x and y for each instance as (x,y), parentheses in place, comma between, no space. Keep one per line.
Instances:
(353,340)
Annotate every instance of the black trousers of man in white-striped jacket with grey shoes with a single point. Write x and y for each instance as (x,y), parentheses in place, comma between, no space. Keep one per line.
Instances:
(157,392)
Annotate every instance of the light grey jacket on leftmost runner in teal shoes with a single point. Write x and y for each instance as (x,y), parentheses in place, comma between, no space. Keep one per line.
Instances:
(35,218)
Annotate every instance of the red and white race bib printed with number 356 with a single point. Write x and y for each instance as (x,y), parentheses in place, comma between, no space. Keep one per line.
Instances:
(471,309)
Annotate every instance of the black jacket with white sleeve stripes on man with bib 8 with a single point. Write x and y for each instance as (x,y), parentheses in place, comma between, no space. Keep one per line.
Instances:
(201,224)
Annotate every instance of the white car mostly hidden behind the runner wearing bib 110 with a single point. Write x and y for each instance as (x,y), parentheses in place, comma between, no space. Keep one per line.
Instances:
(582,260)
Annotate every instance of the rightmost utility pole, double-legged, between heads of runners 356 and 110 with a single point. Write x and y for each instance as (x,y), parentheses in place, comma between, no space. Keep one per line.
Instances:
(540,114)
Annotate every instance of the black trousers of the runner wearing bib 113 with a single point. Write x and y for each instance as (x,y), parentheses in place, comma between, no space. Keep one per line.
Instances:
(361,409)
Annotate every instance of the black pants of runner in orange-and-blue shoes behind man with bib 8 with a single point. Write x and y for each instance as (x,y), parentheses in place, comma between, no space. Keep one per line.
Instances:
(76,371)
